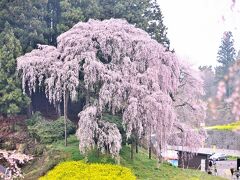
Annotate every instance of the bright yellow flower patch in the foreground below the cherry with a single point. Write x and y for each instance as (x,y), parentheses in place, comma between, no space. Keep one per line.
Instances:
(80,170)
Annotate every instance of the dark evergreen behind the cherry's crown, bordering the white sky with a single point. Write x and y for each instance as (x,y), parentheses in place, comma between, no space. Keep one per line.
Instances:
(145,14)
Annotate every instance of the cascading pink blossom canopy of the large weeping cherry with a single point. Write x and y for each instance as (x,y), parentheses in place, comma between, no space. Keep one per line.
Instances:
(124,70)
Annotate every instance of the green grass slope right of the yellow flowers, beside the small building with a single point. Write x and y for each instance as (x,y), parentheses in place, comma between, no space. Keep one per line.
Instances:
(145,168)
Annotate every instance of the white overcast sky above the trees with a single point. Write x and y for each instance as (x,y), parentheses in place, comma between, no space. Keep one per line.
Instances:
(195,27)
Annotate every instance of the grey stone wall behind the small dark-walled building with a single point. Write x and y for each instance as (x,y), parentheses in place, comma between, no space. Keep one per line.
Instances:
(223,139)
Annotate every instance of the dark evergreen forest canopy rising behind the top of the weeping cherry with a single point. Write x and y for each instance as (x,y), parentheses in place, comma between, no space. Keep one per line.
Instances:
(42,21)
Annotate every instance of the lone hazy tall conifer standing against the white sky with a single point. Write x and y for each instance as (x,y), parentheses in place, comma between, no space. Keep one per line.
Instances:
(226,58)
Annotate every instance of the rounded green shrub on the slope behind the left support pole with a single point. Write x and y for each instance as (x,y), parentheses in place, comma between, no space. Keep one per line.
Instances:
(48,131)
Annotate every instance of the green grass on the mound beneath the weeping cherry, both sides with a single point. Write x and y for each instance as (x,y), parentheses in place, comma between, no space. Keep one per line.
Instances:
(142,167)
